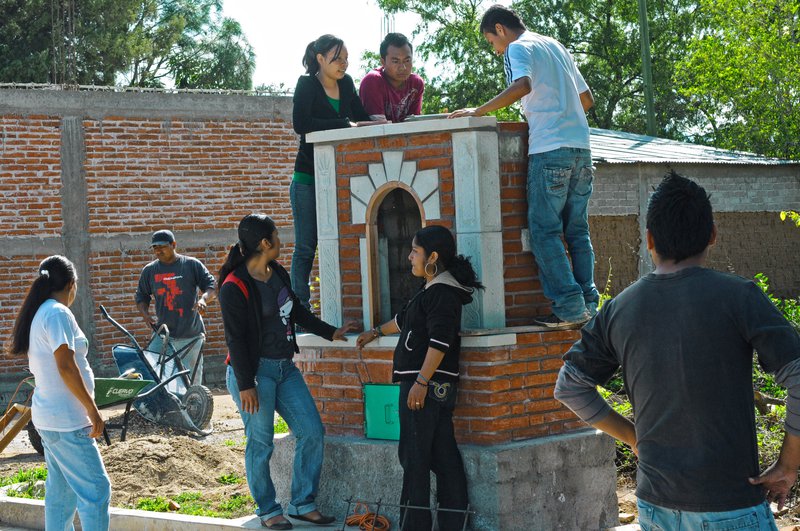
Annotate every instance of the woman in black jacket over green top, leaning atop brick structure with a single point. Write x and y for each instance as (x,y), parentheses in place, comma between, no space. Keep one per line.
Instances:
(325,98)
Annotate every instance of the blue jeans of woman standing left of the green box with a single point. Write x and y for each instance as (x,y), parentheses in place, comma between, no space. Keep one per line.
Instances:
(280,387)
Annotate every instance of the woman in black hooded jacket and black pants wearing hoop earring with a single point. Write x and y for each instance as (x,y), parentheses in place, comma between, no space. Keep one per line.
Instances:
(426,365)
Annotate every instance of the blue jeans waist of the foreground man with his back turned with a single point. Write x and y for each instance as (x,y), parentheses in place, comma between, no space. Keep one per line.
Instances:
(756,518)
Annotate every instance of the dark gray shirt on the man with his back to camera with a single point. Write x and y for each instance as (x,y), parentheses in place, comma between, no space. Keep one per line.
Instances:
(685,342)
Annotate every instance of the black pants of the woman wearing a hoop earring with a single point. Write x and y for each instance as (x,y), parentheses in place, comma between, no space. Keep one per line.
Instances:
(428,443)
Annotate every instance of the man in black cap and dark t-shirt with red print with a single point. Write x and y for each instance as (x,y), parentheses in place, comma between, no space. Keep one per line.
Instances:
(174,281)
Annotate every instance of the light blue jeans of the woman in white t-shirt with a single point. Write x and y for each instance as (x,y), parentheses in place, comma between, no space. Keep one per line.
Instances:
(76,479)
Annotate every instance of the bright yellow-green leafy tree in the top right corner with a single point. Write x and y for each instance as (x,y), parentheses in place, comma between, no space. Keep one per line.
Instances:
(743,73)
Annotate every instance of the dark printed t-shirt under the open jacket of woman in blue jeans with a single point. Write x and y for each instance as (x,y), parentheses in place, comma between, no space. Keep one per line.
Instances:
(276,307)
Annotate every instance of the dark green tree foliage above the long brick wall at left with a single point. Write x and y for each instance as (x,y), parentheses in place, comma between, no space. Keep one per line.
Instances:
(143,43)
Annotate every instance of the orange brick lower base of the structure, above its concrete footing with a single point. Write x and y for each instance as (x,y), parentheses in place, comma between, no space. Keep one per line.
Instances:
(505,393)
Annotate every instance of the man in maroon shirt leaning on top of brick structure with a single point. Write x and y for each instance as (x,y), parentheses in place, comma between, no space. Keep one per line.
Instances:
(393,91)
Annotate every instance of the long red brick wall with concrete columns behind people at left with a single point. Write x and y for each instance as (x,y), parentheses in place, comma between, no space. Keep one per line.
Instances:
(192,163)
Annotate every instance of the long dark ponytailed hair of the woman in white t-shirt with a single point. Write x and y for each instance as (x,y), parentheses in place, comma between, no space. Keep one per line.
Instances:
(54,274)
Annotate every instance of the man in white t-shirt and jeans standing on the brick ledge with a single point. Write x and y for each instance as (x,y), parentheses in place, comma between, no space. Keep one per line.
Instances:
(555,98)
